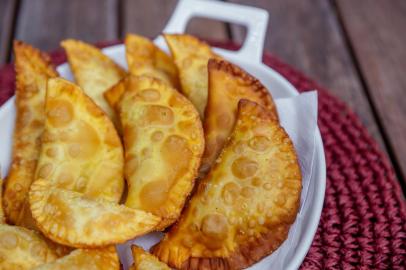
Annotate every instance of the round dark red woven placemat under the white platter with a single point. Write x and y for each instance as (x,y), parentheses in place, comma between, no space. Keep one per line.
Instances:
(363,223)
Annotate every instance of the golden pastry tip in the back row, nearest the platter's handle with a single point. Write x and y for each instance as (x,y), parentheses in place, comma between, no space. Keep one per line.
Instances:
(191,56)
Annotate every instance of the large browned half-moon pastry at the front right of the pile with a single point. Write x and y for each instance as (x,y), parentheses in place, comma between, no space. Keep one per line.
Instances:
(243,209)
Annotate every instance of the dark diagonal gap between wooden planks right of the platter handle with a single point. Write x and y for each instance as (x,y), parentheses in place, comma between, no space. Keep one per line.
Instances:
(364,85)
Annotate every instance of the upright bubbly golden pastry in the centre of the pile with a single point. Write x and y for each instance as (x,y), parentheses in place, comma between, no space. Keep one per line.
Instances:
(164,142)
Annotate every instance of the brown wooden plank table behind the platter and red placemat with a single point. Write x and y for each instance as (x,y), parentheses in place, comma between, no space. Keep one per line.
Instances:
(357,49)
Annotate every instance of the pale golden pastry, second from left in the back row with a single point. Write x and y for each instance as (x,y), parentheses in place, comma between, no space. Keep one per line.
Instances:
(93,71)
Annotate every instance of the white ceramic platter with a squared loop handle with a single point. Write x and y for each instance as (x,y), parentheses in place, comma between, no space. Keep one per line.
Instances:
(250,58)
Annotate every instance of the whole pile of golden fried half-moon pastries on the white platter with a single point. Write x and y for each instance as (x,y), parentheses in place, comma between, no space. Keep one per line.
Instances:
(188,144)
